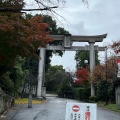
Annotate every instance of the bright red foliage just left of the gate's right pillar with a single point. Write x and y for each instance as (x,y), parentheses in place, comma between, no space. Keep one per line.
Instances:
(82,75)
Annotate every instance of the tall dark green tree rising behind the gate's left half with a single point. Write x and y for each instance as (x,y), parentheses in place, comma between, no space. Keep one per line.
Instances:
(54,30)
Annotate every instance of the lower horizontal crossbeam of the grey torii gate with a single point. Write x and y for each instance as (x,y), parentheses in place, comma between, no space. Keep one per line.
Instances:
(74,48)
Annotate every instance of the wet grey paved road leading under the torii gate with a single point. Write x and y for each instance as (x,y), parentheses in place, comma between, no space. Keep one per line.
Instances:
(53,109)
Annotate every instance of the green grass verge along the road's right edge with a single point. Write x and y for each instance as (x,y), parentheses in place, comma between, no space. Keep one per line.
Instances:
(110,106)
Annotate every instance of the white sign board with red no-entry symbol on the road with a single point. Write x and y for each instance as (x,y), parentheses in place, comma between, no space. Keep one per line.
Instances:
(81,111)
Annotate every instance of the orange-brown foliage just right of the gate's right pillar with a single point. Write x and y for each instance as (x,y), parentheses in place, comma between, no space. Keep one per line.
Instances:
(107,71)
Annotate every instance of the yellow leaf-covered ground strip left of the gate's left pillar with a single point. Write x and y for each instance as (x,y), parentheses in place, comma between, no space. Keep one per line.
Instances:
(25,101)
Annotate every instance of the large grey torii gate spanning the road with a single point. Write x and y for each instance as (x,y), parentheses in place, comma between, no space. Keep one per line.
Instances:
(68,40)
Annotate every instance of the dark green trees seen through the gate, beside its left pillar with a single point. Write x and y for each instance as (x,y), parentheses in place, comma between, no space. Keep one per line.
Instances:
(59,81)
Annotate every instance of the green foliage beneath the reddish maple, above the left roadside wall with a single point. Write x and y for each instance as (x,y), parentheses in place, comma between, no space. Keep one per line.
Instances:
(12,81)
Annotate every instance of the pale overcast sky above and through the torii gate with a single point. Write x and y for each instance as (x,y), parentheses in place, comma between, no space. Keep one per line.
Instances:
(100,17)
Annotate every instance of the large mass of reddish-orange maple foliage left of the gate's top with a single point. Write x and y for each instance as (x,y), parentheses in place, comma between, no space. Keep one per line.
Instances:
(21,36)
